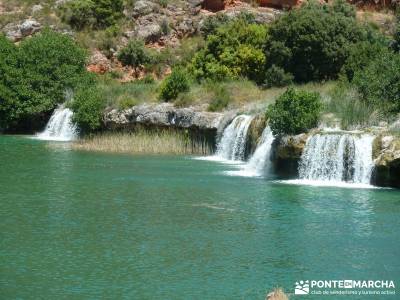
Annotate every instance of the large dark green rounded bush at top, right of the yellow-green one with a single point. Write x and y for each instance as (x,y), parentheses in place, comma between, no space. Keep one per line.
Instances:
(312,42)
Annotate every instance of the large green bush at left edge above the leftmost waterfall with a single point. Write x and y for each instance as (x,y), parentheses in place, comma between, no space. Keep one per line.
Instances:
(41,70)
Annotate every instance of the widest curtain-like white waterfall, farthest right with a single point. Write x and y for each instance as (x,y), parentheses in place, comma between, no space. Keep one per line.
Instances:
(337,157)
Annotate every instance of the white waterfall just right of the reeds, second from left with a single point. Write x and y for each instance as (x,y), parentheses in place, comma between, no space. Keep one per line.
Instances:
(233,142)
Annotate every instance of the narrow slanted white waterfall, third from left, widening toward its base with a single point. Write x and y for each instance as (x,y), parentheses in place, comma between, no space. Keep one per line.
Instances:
(258,163)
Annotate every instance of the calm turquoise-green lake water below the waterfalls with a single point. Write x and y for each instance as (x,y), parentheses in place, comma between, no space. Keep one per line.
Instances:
(79,225)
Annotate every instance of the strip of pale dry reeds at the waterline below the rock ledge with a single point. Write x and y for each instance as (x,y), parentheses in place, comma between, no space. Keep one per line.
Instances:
(145,142)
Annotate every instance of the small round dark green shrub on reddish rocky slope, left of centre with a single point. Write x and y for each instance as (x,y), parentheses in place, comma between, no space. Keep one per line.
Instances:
(134,54)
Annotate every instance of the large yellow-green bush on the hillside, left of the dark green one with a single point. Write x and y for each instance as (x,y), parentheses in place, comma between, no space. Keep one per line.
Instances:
(235,50)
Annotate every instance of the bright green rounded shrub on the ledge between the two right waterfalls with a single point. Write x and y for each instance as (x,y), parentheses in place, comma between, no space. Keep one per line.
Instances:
(294,112)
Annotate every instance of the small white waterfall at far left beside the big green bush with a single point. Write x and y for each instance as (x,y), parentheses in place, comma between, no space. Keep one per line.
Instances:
(60,126)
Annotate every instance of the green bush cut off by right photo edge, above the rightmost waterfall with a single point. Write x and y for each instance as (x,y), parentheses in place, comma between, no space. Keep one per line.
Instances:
(379,82)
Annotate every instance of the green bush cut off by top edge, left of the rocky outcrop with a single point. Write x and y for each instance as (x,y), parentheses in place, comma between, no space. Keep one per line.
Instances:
(89,13)
